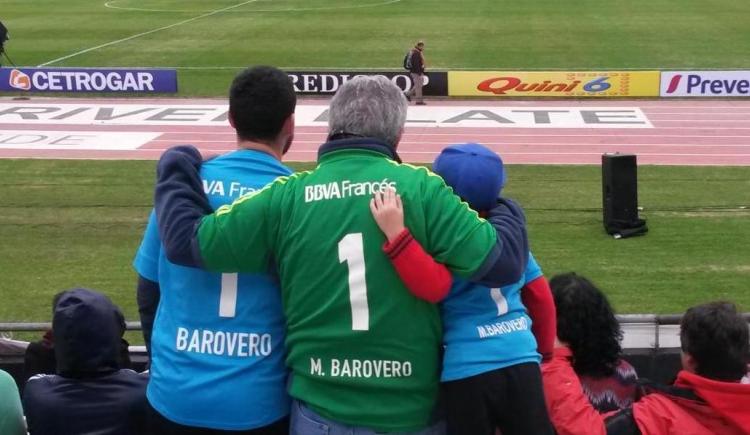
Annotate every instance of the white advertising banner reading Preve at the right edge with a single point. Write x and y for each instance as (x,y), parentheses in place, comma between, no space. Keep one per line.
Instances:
(705,84)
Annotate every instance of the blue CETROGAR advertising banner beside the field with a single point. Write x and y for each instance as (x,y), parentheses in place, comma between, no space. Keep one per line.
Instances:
(88,80)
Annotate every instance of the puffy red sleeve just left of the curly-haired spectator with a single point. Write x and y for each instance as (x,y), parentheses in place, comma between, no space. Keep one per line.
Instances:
(569,409)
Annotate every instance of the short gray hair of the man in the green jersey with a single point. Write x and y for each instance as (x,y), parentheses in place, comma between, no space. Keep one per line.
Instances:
(370,106)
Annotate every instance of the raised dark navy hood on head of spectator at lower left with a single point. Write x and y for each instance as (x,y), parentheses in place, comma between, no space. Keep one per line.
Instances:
(88,330)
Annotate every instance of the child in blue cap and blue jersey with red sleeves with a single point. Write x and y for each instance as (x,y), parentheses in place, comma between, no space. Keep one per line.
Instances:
(492,349)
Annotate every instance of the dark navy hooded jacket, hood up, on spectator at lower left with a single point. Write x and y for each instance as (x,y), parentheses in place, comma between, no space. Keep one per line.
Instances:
(90,394)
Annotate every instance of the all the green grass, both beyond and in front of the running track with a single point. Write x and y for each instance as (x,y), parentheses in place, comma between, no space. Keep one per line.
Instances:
(78,223)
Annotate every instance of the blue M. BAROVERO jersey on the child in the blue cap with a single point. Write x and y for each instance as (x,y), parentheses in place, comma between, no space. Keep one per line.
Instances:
(487,329)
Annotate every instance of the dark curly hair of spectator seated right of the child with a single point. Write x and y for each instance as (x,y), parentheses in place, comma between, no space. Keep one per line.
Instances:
(586,322)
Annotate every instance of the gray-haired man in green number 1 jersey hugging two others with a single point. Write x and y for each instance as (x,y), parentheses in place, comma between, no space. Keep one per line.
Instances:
(362,350)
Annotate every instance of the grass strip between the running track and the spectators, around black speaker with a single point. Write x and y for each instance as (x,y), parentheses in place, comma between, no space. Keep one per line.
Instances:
(78,223)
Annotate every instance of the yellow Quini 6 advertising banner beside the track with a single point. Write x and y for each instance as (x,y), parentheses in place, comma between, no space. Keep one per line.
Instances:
(553,83)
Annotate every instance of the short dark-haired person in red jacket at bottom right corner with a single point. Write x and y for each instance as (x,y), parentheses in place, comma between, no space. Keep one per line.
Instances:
(707,397)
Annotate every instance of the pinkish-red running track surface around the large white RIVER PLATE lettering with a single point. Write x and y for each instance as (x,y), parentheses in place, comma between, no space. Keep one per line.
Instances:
(685,132)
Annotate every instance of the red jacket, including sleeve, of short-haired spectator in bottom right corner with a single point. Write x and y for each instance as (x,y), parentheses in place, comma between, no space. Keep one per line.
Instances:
(694,405)
